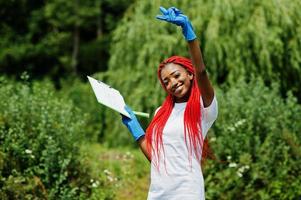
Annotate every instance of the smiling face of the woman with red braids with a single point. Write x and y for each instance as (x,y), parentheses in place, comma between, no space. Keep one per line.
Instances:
(177,81)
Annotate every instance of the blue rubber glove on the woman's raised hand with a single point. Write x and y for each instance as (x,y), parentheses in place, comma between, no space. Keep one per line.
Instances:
(175,16)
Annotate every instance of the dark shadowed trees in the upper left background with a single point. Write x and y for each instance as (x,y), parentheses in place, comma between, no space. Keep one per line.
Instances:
(56,38)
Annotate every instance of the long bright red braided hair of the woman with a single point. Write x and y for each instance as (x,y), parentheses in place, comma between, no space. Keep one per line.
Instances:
(192,117)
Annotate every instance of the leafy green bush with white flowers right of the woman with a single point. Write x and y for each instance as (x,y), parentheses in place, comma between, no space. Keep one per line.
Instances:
(257,138)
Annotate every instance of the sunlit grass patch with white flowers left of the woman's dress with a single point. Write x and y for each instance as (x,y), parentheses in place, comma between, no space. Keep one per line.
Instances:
(117,173)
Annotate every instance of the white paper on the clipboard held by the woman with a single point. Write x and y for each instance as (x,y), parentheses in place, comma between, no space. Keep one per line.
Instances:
(108,96)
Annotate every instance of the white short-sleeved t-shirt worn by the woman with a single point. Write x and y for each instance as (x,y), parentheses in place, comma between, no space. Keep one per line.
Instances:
(178,178)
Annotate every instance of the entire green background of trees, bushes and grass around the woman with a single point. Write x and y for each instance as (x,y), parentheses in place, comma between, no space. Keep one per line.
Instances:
(57,142)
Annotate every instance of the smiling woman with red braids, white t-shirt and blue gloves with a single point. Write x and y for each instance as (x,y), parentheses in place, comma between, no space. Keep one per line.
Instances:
(174,140)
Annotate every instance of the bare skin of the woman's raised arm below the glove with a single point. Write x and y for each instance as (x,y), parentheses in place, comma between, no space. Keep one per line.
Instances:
(203,81)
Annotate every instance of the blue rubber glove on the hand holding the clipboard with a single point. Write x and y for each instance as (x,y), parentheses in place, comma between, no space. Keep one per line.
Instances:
(133,124)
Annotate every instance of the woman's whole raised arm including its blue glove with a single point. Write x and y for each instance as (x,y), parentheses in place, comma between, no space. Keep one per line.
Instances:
(175,16)
